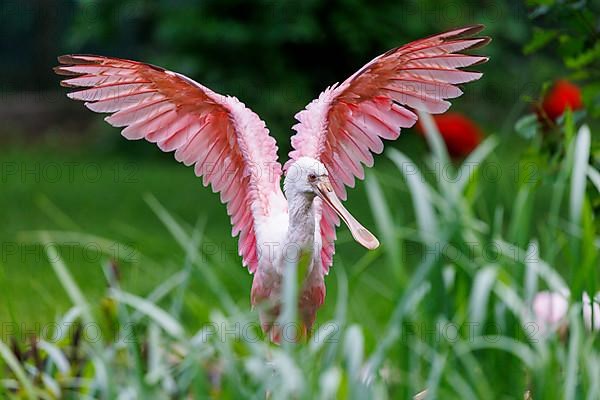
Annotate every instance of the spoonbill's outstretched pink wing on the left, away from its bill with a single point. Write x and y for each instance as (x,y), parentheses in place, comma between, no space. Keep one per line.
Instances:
(227,143)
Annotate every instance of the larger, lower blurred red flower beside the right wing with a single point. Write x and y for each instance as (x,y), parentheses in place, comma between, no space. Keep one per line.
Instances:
(460,133)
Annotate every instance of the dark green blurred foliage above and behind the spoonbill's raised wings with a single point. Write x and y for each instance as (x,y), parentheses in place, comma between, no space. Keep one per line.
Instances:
(274,55)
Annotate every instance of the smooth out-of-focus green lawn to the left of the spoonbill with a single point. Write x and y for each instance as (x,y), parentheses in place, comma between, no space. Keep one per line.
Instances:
(110,204)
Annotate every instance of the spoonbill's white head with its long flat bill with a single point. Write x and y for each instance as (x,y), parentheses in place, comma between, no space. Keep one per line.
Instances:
(309,177)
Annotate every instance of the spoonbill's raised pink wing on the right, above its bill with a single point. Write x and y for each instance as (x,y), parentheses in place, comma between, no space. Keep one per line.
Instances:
(345,125)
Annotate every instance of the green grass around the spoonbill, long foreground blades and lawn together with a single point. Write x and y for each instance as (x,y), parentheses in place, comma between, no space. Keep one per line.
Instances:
(443,305)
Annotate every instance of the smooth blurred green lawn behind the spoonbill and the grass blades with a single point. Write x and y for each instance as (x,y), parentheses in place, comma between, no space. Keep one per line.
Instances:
(96,208)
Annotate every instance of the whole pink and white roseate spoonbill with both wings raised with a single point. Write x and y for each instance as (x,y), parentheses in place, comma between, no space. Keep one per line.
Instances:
(231,148)
